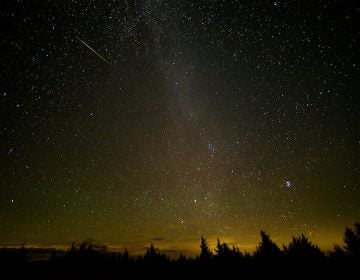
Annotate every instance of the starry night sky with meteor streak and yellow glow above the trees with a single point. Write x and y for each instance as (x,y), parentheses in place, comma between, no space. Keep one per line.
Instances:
(138,122)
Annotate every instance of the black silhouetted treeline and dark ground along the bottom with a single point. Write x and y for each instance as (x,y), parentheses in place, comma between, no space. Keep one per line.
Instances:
(300,259)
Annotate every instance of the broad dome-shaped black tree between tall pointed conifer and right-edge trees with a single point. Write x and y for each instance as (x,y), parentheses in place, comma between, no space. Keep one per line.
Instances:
(301,247)
